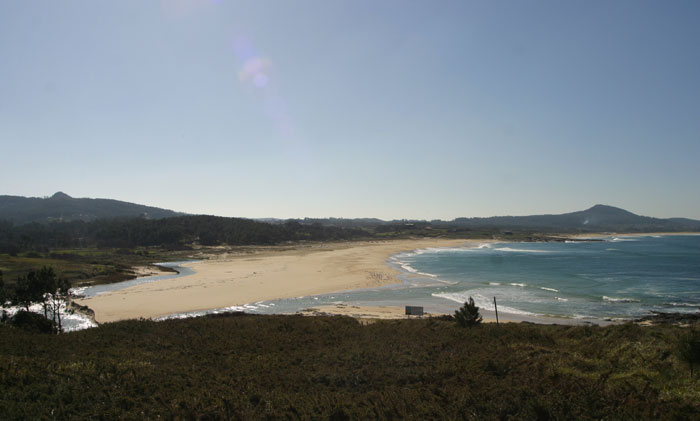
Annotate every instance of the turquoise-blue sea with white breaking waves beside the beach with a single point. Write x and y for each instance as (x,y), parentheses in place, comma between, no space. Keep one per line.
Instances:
(619,277)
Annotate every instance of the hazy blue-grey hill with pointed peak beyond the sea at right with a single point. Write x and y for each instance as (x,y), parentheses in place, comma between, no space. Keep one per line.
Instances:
(597,218)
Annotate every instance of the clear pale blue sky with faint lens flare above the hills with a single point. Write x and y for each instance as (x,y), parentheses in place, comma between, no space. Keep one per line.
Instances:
(388,109)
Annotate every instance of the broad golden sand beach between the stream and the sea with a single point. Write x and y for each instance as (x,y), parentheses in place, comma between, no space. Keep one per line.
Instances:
(268,275)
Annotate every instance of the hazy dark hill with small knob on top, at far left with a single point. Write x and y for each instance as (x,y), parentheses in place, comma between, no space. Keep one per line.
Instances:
(61,207)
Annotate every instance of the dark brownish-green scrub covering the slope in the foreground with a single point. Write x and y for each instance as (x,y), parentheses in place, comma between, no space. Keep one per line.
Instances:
(294,367)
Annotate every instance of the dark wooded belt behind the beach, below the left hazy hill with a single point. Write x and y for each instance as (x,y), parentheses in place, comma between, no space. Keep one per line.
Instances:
(168,232)
